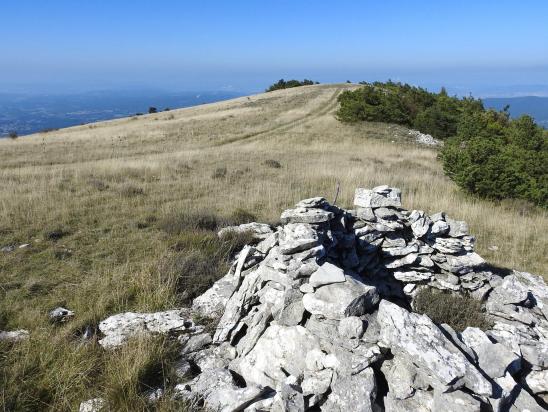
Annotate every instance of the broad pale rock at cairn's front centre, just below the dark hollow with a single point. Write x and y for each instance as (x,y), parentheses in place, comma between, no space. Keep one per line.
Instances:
(339,300)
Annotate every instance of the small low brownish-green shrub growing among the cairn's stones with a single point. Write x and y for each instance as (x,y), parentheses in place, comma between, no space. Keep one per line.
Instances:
(458,311)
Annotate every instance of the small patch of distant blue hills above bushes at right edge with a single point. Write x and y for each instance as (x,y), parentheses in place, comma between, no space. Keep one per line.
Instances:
(536,107)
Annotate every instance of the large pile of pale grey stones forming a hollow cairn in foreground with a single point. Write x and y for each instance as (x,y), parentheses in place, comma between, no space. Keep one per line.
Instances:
(317,316)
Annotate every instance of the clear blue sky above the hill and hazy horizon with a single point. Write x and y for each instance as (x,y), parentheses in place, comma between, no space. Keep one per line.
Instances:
(245,45)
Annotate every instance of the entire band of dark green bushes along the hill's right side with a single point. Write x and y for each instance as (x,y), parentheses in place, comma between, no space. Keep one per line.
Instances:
(486,153)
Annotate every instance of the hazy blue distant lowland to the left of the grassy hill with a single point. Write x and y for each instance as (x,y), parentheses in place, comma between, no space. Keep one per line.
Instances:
(31,113)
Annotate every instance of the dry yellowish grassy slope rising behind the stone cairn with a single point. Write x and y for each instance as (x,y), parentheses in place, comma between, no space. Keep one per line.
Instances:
(108,185)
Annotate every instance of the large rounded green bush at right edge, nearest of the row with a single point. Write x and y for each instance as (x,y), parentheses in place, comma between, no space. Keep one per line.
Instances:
(495,157)
